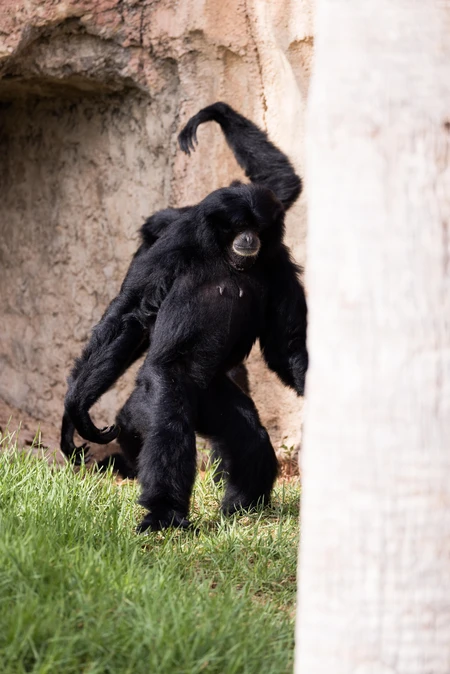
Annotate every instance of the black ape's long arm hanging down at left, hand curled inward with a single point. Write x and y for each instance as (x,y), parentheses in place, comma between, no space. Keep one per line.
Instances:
(124,331)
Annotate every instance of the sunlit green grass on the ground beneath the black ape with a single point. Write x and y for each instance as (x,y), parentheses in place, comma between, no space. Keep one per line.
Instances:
(81,592)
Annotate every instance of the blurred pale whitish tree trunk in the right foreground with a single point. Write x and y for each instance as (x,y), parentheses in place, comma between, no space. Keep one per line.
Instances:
(374,572)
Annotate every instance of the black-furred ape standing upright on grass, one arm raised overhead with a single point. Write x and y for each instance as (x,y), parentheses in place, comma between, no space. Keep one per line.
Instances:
(197,307)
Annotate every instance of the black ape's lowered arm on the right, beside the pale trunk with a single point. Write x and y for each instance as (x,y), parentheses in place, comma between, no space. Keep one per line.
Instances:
(283,336)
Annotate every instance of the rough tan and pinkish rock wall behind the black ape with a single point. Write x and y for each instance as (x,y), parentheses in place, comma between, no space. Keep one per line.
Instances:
(92,95)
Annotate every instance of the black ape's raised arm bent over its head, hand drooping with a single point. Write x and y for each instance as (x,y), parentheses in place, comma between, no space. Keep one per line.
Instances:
(261,160)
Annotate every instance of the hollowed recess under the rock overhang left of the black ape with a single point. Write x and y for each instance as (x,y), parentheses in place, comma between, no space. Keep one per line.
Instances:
(83,161)
